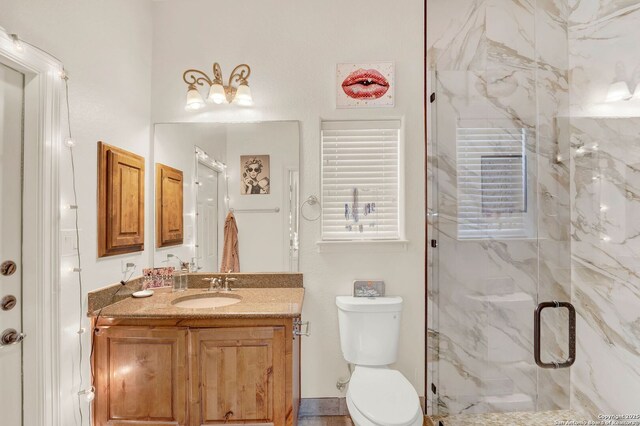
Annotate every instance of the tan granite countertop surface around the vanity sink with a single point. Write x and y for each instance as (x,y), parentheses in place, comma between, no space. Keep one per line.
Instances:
(255,303)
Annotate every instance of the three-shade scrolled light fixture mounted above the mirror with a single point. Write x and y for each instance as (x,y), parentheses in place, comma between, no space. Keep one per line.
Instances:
(236,91)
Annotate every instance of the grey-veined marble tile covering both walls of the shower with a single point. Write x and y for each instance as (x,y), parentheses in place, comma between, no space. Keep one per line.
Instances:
(545,66)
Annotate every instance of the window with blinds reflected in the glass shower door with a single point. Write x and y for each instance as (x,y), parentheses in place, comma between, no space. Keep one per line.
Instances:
(492,184)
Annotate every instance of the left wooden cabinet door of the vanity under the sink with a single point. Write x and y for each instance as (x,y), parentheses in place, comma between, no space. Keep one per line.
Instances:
(140,376)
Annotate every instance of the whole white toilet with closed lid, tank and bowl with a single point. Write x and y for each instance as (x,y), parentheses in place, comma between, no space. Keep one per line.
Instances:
(369,331)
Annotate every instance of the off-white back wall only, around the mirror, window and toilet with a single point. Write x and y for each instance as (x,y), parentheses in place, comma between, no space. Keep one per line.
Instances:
(293,48)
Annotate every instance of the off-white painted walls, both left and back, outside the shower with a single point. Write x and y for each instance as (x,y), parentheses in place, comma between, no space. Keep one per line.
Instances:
(118,81)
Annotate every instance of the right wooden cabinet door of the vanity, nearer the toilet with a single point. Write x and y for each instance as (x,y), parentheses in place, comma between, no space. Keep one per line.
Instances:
(238,375)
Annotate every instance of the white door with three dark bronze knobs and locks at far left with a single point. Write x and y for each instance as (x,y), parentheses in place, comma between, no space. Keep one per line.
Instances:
(11,114)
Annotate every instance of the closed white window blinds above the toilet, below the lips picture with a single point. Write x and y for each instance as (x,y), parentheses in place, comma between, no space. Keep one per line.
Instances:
(360,180)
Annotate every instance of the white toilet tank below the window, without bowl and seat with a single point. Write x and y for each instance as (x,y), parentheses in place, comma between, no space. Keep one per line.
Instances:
(369,329)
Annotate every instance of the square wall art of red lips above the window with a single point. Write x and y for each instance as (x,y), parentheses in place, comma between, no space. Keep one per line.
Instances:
(365,85)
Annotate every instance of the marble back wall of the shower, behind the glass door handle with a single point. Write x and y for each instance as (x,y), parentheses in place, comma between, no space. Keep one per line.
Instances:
(499,63)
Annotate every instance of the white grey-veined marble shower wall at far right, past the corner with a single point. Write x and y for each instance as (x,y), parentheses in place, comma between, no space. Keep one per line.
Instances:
(605,190)
